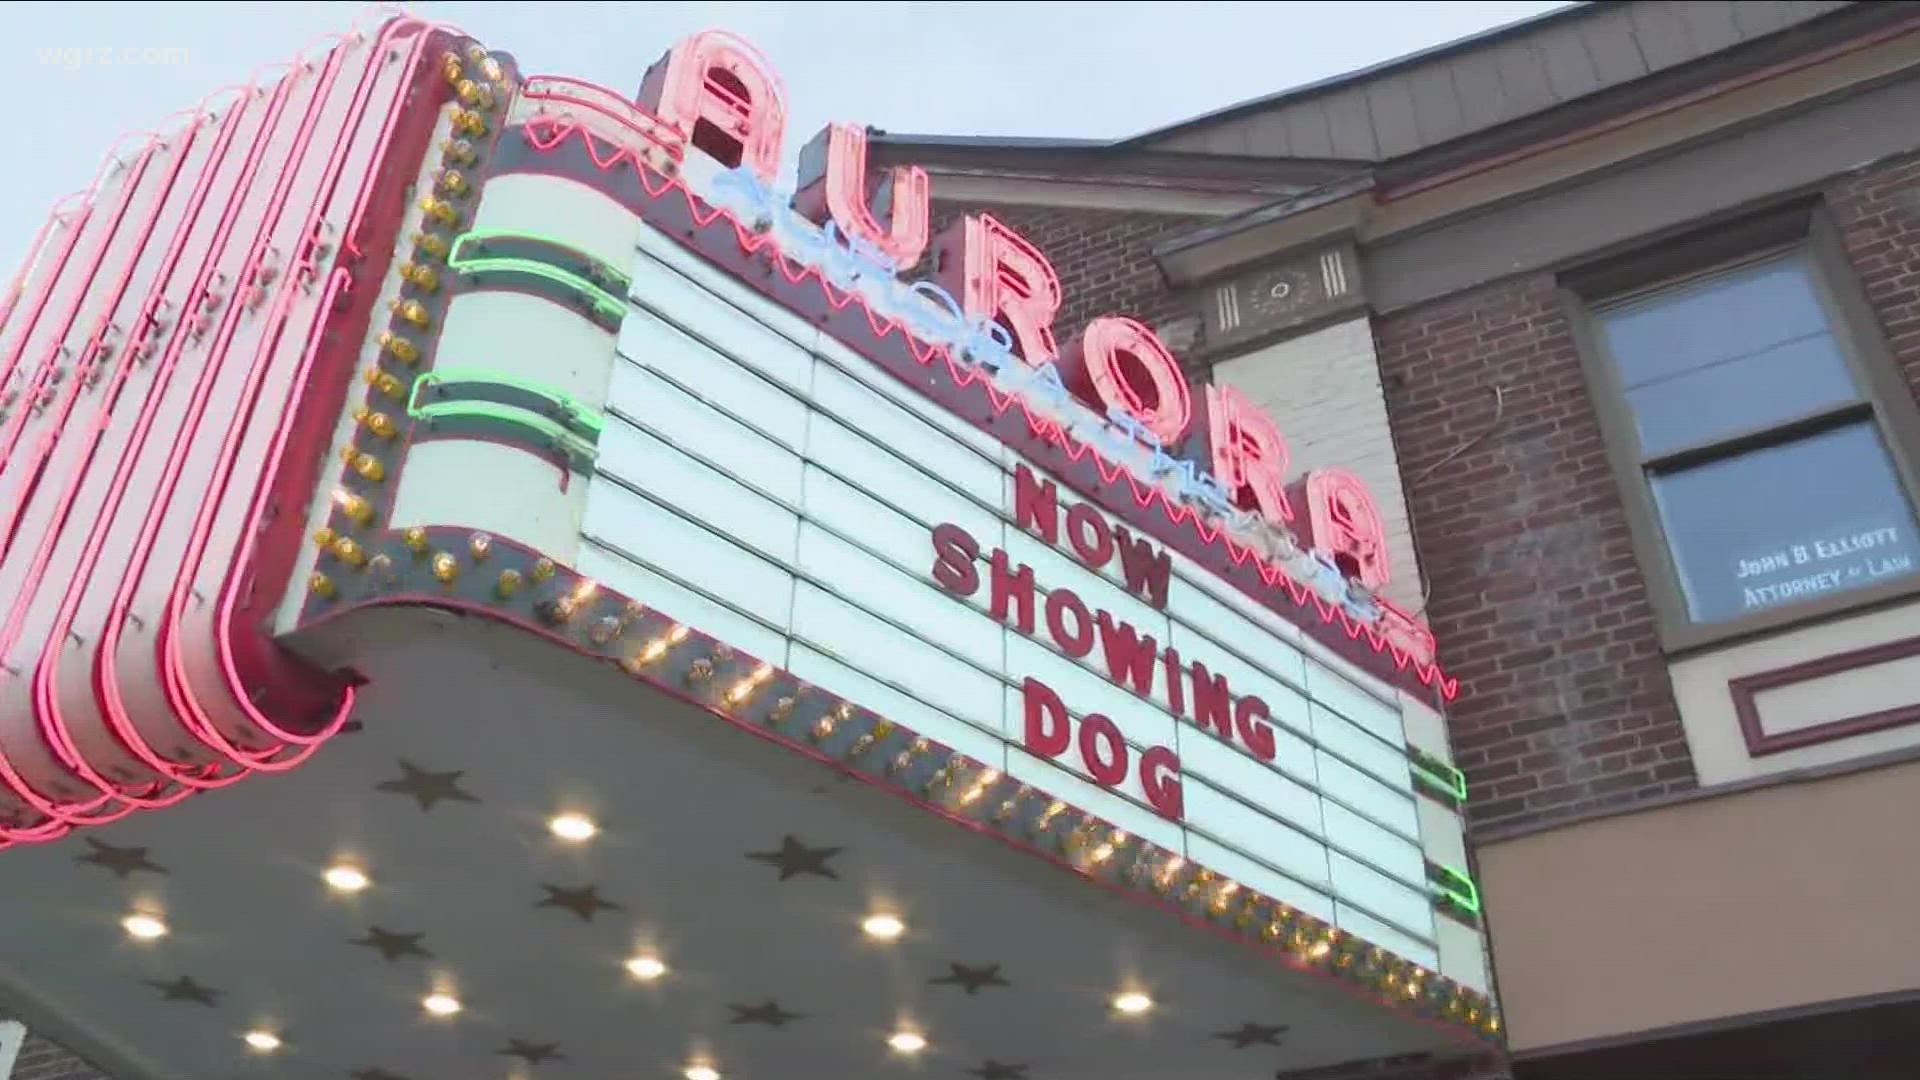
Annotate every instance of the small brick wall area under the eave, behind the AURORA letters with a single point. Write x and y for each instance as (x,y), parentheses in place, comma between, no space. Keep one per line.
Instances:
(1105,264)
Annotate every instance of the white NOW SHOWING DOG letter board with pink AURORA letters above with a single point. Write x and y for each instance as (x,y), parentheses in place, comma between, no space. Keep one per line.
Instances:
(1003,554)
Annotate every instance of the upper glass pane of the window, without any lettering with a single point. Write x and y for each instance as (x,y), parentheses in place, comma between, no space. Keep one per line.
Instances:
(1727,355)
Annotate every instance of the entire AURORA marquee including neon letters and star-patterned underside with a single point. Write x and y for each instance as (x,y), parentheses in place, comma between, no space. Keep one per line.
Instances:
(500,581)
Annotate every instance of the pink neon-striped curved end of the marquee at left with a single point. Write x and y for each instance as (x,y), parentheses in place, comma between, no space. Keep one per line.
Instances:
(168,341)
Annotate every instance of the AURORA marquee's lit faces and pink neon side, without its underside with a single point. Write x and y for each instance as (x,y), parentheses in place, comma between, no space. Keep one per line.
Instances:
(786,464)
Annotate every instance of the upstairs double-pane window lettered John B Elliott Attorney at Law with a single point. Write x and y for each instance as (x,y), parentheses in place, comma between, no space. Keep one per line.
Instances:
(1758,445)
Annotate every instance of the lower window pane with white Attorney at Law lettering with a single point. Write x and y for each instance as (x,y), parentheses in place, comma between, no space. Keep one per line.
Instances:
(1788,524)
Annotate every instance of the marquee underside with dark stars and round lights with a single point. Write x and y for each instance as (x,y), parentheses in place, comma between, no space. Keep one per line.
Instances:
(684,800)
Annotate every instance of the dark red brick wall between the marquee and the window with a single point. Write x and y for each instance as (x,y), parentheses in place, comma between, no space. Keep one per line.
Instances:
(1537,602)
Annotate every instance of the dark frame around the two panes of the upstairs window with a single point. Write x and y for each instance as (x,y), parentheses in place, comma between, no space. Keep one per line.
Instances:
(1883,397)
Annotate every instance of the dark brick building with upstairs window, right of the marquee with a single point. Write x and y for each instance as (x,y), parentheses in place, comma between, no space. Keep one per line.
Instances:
(1618,316)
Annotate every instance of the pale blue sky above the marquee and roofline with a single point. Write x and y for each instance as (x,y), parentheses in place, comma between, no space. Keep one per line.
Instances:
(85,74)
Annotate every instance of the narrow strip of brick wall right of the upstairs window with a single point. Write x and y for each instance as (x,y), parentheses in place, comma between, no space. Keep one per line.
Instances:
(1879,218)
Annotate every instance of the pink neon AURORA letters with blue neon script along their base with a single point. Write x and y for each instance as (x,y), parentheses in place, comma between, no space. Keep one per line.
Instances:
(994,299)
